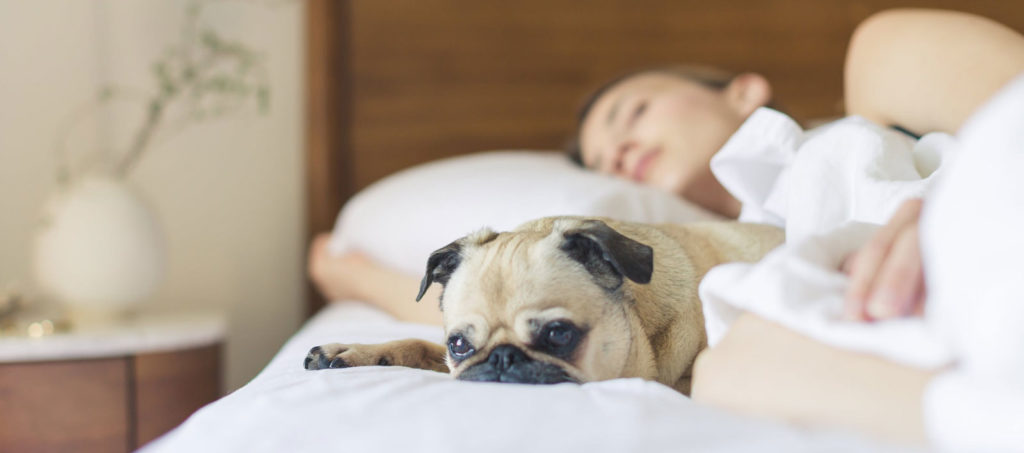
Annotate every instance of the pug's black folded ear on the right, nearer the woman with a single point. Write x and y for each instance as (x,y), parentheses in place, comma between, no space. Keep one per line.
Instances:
(609,256)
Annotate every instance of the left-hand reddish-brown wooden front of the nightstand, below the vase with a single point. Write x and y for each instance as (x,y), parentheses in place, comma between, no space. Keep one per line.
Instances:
(80,406)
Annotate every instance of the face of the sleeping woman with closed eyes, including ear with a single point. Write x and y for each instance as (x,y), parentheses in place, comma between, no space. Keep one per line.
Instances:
(662,130)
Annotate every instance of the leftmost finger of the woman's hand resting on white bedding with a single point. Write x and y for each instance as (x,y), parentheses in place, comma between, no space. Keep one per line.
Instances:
(866,266)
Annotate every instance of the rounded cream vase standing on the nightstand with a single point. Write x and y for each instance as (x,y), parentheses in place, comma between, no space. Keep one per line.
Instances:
(100,251)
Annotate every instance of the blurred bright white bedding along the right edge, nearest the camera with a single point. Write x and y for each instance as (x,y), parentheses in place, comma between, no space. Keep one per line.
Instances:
(973,245)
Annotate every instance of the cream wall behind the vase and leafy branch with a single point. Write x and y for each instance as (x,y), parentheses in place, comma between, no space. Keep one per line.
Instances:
(229,192)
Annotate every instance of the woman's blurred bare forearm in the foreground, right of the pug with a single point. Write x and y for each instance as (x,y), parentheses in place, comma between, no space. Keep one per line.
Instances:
(763,369)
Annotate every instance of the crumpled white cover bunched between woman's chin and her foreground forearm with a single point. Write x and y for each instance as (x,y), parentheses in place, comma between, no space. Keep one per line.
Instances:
(831,189)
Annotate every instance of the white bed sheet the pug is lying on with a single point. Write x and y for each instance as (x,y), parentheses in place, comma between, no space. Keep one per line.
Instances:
(397,409)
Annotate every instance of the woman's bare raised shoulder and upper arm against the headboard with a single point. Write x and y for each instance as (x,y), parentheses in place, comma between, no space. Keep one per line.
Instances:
(928,70)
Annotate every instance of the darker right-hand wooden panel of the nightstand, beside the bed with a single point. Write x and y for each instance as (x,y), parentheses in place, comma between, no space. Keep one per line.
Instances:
(169,387)
